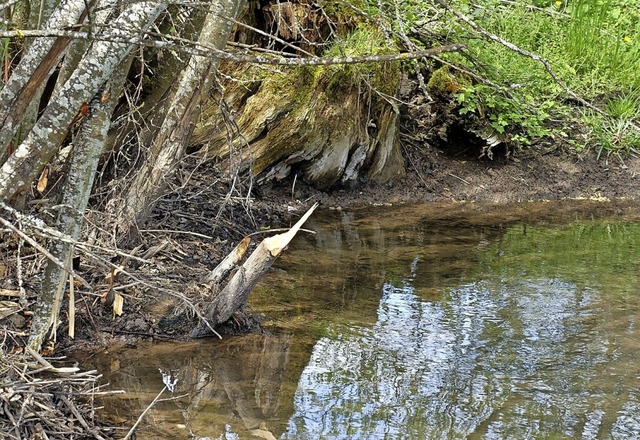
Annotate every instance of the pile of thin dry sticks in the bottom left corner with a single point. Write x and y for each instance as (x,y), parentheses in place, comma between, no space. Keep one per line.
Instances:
(40,401)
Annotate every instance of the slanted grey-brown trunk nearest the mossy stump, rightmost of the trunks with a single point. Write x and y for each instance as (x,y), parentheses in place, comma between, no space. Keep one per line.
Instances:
(170,143)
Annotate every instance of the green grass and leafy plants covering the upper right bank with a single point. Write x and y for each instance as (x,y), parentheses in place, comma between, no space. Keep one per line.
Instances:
(592,45)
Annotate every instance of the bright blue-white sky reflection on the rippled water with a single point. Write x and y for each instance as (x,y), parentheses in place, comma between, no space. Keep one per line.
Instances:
(492,360)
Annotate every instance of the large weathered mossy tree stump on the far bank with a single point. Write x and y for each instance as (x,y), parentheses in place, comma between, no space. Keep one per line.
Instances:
(327,124)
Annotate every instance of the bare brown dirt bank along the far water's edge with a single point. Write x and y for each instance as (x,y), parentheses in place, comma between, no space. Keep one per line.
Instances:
(435,175)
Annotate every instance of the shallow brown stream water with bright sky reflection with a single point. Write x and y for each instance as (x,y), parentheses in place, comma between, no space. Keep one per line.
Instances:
(420,322)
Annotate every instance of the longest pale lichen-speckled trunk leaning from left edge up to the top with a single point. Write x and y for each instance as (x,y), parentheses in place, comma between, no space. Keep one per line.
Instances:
(111,47)
